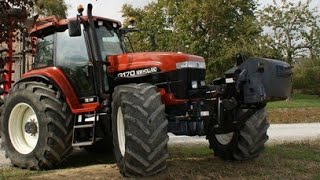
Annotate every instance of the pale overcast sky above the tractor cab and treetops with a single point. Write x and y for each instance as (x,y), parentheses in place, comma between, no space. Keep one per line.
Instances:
(112,8)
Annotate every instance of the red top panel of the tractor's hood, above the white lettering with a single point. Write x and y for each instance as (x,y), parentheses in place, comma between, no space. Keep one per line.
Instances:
(163,61)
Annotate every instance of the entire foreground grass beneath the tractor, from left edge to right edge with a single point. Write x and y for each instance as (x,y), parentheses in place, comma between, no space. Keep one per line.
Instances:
(286,161)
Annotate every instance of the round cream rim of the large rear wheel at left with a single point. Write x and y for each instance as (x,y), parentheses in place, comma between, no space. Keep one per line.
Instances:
(23,128)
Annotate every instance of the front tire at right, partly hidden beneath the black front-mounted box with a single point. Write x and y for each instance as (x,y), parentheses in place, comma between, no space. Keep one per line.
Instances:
(244,144)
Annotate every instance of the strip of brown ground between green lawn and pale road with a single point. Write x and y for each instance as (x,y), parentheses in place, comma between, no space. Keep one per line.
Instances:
(294,115)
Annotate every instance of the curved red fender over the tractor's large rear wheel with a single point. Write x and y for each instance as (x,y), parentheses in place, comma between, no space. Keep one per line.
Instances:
(57,75)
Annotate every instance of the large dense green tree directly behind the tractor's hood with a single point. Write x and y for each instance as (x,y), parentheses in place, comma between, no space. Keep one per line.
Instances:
(213,29)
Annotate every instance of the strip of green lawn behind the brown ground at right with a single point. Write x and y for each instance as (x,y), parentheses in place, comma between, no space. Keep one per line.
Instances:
(298,101)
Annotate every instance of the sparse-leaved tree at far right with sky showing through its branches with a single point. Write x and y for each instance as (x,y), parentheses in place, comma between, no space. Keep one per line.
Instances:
(292,28)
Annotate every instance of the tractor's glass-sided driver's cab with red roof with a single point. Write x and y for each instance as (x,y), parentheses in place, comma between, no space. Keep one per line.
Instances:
(73,54)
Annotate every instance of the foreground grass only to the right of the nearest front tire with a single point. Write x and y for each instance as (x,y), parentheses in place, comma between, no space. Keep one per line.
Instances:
(286,161)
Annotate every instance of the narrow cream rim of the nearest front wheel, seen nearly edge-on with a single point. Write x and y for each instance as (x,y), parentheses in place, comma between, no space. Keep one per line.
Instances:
(121,132)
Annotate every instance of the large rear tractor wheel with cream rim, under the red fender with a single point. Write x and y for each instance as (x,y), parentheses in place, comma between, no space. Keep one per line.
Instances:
(36,111)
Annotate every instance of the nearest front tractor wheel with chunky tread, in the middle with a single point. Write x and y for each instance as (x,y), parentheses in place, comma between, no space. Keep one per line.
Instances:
(139,130)
